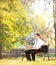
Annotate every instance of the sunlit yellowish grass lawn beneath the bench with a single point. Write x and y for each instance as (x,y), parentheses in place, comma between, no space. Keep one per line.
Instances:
(25,62)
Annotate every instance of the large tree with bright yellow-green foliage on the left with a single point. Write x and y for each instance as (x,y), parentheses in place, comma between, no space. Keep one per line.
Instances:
(14,23)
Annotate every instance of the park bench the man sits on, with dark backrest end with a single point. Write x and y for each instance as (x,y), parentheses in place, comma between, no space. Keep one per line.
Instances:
(44,52)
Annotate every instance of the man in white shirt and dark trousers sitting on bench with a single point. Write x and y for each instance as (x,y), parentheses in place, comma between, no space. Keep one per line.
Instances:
(35,49)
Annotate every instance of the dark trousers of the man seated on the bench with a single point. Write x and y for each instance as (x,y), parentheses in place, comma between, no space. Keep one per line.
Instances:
(31,52)
